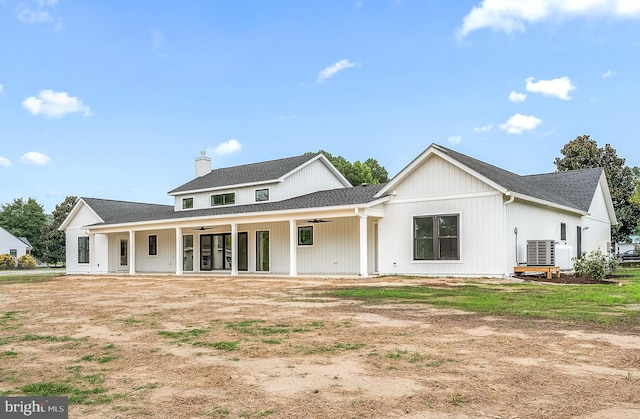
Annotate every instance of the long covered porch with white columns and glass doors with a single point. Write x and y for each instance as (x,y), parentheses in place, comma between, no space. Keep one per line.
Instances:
(338,242)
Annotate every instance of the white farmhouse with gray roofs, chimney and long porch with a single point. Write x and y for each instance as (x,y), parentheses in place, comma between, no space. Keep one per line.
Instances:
(443,214)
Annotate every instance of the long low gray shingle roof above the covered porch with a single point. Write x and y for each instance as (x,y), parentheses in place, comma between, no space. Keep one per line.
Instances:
(118,212)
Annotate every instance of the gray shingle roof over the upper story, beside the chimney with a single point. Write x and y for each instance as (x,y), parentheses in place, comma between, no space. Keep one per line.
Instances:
(246,173)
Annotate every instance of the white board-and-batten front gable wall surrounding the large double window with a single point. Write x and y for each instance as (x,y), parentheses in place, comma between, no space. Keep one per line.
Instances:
(437,188)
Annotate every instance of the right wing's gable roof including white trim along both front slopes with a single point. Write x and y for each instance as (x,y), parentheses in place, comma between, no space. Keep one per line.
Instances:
(572,190)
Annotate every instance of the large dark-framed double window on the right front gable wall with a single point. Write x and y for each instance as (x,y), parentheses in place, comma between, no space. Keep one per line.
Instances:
(436,237)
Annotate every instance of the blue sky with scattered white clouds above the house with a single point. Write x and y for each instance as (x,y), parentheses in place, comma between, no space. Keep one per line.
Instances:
(115,99)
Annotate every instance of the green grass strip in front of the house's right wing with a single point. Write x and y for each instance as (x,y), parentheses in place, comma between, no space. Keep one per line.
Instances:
(601,303)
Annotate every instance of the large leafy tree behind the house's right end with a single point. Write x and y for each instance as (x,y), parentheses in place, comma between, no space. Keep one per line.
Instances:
(583,153)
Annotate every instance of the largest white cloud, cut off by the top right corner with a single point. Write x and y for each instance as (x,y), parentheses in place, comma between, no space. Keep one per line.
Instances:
(512,15)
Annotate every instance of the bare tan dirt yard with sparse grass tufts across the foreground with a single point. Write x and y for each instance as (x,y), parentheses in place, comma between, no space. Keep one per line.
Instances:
(192,347)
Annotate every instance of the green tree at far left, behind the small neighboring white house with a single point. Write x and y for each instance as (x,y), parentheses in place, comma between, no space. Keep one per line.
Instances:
(24,219)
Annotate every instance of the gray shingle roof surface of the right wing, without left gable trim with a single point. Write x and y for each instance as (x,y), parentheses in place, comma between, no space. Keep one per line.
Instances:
(574,188)
